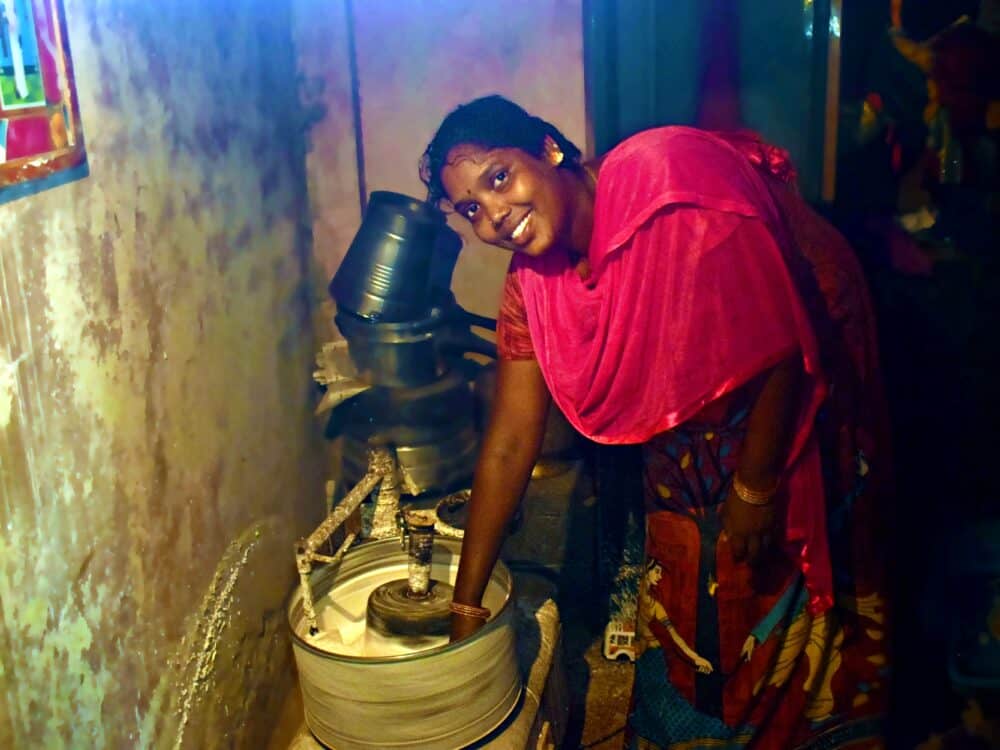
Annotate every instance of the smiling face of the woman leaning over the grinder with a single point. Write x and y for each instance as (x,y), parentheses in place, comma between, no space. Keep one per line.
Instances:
(512,199)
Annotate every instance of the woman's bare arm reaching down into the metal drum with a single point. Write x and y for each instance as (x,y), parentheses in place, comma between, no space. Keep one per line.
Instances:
(509,450)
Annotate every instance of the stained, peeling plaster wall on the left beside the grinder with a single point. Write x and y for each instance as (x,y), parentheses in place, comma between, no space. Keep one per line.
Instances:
(157,449)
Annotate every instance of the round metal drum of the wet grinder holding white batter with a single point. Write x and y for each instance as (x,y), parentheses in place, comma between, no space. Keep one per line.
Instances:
(442,697)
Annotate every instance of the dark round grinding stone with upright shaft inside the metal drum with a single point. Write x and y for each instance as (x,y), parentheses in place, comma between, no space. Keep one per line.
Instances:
(417,605)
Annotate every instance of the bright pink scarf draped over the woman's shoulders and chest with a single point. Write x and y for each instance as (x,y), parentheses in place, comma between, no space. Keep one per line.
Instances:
(688,298)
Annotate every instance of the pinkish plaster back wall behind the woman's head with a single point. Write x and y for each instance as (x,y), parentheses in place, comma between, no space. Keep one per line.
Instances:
(416,61)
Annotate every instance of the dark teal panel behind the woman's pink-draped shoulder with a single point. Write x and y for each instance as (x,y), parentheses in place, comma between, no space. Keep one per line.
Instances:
(660,62)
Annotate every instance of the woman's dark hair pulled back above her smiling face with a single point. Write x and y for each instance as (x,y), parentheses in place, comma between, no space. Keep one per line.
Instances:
(489,122)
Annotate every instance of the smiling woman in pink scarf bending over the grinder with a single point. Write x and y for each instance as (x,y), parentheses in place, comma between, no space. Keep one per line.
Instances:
(678,294)
